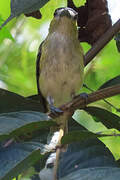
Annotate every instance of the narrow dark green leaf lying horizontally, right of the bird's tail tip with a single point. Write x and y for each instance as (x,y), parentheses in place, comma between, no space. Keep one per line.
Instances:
(76,136)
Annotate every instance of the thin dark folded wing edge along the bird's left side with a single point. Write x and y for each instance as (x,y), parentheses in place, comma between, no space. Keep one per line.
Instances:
(38,76)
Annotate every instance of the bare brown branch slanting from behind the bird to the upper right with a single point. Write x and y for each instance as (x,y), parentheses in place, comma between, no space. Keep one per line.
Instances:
(108,35)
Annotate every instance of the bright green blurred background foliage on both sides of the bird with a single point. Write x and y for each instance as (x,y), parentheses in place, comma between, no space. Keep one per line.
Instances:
(19,42)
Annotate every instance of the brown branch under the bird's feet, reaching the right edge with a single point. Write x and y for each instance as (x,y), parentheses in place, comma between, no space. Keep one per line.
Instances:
(80,102)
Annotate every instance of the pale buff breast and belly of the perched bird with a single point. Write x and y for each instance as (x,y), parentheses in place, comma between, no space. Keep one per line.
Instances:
(61,68)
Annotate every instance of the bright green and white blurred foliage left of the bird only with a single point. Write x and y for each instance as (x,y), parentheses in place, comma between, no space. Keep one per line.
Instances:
(18,58)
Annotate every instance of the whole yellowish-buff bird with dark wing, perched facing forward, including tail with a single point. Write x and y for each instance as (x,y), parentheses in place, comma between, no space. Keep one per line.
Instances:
(60,64)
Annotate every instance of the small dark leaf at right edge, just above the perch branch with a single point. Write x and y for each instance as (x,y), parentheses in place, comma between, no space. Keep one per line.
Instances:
(111,82)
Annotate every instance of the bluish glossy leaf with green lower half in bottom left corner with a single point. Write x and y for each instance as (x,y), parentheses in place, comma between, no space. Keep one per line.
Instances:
(19,157)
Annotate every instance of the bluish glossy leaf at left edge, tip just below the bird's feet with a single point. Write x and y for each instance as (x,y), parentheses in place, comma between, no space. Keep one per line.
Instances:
(16,123)
